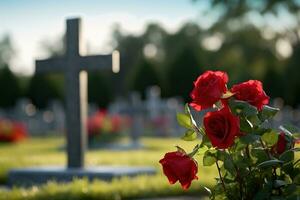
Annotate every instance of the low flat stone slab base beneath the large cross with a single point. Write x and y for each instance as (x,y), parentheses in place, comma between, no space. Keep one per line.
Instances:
(40,175)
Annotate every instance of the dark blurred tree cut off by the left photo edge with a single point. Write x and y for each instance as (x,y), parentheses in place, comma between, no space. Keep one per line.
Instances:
(9,87)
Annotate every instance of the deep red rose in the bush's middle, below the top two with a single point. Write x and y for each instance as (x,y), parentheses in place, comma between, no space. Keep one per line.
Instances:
(221,127)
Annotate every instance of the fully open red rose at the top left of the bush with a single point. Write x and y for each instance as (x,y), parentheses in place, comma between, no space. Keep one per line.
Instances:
(209,88)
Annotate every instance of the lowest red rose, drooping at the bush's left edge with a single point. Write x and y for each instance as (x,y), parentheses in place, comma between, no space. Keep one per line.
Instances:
(179,166)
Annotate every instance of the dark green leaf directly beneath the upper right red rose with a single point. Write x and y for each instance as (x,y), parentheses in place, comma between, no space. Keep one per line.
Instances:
(242,108)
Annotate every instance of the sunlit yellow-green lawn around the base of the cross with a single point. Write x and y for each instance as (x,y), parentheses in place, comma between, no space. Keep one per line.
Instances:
(48,151)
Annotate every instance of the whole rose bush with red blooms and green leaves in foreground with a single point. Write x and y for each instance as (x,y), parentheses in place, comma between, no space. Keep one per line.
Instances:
(254,160)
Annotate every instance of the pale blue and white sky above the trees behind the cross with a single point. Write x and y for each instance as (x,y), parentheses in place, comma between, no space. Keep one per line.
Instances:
(29,22)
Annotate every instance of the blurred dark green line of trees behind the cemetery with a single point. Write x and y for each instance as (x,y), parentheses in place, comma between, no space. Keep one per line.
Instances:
(233,43)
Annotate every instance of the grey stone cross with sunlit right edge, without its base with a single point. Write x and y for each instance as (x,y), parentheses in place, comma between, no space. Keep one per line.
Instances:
(74,67)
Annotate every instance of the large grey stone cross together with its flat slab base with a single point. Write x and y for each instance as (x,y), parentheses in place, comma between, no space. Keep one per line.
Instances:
(74,67)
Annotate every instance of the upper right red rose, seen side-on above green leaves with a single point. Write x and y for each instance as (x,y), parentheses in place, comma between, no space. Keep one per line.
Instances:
(252,92)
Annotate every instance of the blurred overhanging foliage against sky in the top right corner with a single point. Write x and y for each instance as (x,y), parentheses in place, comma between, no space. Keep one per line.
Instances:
(235,13)
